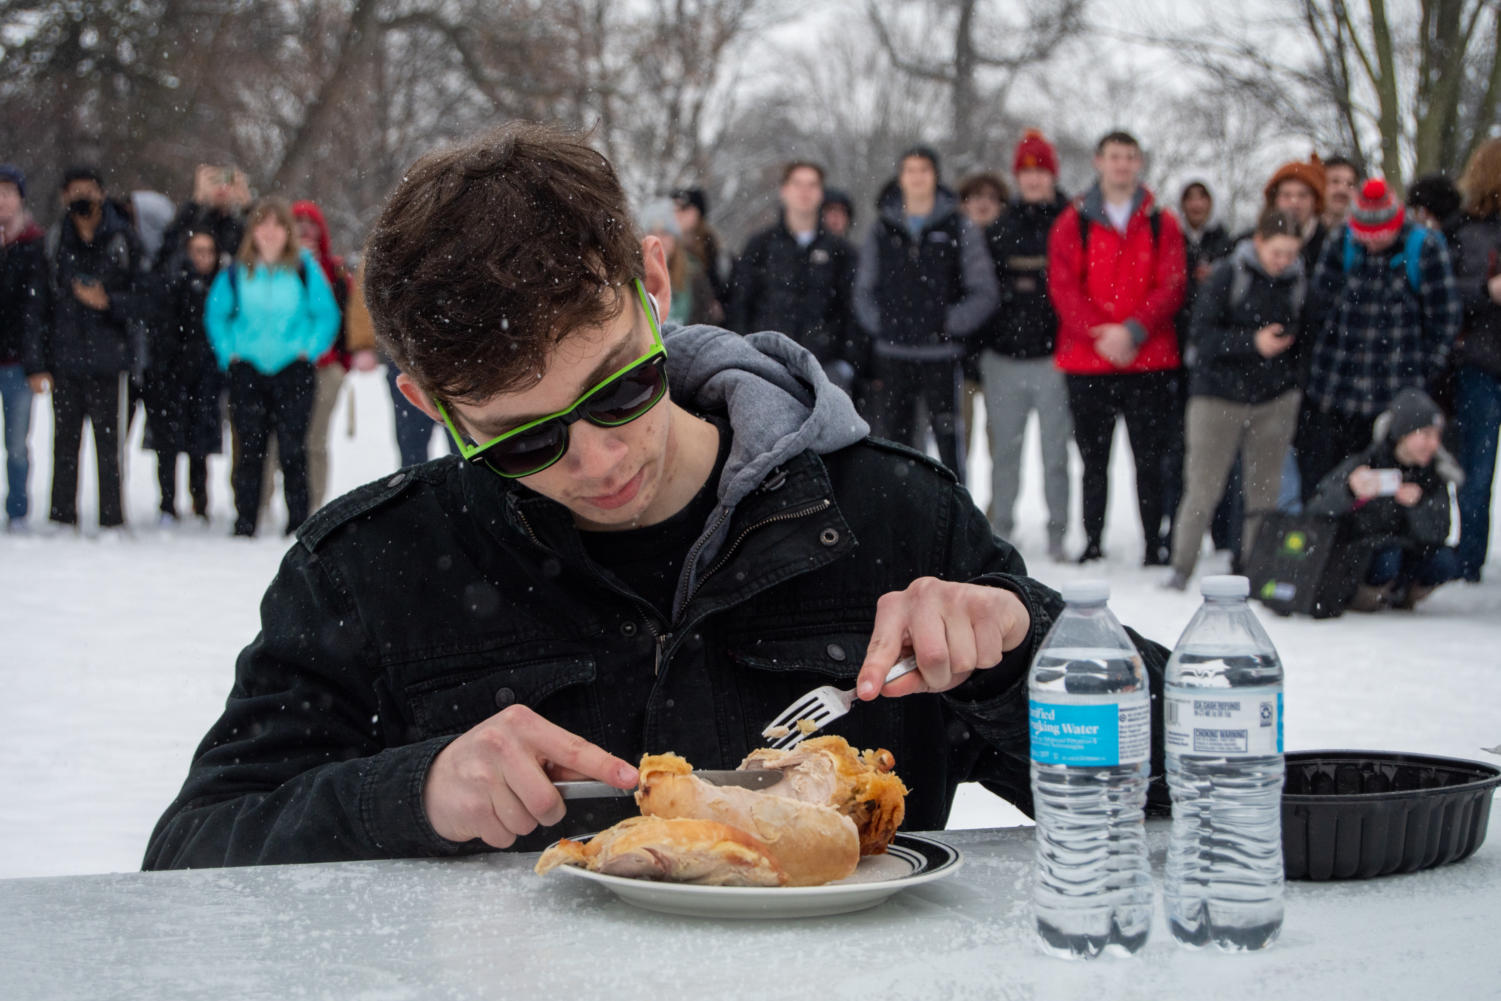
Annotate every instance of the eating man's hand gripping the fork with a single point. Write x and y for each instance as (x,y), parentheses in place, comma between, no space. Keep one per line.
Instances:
(952,630)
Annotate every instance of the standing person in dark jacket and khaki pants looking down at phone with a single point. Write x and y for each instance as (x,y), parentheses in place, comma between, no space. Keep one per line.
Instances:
(1244,386)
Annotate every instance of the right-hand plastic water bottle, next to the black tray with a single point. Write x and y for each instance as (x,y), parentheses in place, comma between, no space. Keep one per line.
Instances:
(1223,715)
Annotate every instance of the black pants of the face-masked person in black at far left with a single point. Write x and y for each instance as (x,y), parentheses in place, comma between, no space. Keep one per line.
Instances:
(97,398)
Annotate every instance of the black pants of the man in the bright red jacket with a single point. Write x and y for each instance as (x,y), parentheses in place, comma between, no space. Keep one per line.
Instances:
(1095,401)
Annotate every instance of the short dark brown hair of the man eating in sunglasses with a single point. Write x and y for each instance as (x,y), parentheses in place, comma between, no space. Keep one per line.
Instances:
(493,251)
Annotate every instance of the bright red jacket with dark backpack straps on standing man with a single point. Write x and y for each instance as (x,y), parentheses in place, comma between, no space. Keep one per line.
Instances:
(1128,281)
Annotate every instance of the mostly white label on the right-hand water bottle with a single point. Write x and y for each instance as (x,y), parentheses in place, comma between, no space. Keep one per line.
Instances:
(1223,724)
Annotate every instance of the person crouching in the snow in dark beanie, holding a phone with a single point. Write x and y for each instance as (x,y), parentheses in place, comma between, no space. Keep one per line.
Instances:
(1394,497)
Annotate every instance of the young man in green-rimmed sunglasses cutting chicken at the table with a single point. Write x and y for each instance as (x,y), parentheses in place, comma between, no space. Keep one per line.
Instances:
(654,541)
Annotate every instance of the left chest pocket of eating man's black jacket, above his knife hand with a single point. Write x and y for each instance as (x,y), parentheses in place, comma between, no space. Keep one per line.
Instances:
(457,697)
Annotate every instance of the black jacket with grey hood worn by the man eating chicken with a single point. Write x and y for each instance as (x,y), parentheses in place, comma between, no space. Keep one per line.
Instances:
(365,672)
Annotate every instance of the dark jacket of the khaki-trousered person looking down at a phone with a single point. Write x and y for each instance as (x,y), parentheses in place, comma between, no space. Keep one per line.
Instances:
(1238,299)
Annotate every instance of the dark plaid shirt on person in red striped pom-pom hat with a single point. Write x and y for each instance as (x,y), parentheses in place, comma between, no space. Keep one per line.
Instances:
(1373,334)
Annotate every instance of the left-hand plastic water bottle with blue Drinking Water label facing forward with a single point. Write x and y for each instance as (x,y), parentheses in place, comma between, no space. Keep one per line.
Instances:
(1090,756)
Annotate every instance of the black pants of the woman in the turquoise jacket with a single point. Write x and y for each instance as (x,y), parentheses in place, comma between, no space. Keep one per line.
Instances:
(260,404)
